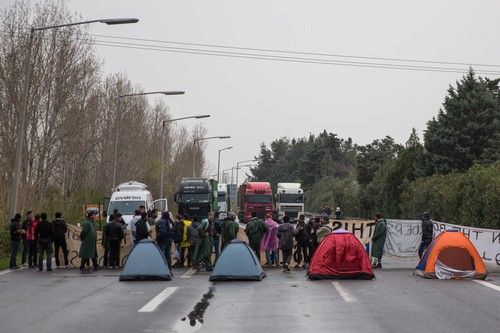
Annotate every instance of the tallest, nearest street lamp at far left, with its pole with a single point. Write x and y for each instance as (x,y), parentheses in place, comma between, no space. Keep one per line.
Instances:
(24,102)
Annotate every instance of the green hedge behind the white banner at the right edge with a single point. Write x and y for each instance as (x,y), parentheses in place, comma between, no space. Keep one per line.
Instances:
(471,198)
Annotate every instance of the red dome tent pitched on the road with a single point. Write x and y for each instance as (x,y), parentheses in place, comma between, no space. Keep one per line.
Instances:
(340,256)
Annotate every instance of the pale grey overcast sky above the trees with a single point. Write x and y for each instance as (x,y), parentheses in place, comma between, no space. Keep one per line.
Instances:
(257,101)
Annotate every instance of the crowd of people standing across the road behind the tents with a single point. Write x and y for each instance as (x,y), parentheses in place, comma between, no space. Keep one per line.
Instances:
(192,239)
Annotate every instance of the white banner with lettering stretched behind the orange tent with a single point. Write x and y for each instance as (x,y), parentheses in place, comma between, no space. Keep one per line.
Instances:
(404,236)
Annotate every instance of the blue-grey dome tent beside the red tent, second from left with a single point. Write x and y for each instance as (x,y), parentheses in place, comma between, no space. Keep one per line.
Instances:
(237,262)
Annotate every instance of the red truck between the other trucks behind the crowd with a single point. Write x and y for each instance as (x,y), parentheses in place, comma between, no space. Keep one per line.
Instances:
(255,197)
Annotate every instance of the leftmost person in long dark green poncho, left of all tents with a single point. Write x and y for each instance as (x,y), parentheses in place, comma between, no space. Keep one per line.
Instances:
(88,236)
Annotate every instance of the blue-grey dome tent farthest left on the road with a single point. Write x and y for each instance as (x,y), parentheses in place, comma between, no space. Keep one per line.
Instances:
(145,262)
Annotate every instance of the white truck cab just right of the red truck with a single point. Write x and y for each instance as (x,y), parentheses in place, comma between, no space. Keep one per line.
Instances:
(290,200)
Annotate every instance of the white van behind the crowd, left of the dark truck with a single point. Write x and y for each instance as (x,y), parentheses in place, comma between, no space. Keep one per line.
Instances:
(127,197)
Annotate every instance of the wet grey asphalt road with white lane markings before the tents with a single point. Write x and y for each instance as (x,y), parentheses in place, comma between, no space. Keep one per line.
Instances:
(396,301)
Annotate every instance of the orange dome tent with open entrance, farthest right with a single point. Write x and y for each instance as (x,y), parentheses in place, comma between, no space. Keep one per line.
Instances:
(451,255)
